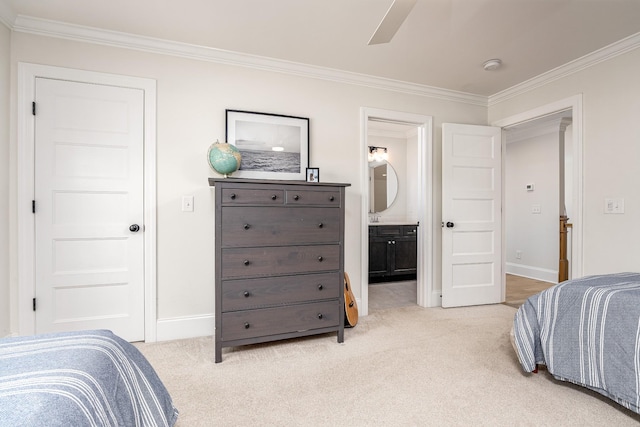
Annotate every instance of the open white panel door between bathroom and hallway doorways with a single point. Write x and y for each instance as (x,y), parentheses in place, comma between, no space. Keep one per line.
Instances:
(471,215)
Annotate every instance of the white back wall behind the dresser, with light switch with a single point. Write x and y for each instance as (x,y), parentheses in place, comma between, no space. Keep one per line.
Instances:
(192,97)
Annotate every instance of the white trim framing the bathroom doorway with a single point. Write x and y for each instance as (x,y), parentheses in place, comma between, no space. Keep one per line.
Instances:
(426,230)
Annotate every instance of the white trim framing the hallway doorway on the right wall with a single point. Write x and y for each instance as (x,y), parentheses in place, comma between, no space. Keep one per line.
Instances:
(573,103)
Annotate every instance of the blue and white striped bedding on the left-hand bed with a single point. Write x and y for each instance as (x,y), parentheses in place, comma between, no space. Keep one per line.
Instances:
(86,378)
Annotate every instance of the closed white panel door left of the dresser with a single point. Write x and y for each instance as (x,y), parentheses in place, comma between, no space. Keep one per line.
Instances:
(89,200)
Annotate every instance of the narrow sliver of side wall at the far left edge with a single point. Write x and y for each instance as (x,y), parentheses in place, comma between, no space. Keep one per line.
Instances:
(5,55)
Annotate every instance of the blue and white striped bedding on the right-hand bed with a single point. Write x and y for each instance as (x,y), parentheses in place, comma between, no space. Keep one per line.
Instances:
(586,331)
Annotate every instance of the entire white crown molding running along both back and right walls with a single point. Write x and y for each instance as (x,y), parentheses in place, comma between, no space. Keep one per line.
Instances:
(27,24)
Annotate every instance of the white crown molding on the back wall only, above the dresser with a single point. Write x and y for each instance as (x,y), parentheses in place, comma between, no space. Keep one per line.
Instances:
(31,25)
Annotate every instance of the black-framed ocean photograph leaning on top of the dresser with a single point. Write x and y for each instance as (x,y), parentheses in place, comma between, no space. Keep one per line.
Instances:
(272,146)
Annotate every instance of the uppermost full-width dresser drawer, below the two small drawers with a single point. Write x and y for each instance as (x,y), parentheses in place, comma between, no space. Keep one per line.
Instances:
(264,226)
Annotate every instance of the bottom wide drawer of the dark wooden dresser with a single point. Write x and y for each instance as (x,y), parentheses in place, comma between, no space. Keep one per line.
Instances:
(279,320)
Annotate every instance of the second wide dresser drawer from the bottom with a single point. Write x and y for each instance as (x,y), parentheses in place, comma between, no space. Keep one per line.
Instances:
(243,294)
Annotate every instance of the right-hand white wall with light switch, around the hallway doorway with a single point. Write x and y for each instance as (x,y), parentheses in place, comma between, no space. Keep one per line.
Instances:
(611,154)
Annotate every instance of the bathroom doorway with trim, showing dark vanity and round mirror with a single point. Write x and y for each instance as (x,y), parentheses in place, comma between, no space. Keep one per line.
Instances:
(397,200)
